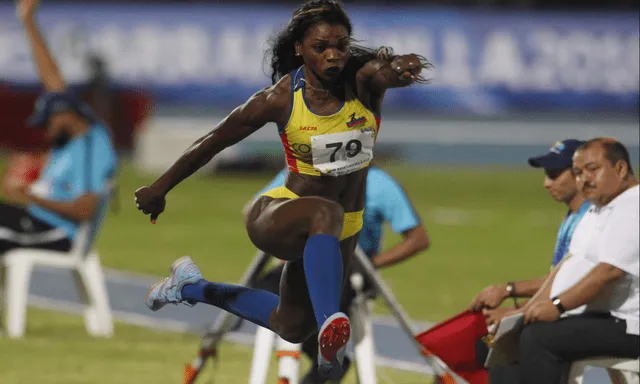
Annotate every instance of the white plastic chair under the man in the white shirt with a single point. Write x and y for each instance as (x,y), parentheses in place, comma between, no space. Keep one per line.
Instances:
(621,371)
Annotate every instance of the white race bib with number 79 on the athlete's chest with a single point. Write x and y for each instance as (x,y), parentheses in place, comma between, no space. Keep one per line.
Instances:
(341,153)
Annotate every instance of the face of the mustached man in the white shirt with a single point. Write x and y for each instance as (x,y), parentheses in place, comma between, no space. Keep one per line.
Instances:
(597,178)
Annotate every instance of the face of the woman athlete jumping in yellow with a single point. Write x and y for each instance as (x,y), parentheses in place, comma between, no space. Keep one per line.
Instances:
(325,49)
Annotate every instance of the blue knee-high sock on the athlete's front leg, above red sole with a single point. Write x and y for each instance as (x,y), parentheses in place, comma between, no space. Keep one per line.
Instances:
(323,270)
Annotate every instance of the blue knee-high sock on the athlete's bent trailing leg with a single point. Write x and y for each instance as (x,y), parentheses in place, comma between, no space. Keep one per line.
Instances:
(250,304)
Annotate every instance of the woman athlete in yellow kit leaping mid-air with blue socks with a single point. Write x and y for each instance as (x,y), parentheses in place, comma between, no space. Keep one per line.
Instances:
(326,100)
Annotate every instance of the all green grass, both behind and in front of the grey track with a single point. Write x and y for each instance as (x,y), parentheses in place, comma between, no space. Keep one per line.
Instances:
(486,226)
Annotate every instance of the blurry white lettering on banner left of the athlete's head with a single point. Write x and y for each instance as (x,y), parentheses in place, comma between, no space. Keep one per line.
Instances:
(187,53)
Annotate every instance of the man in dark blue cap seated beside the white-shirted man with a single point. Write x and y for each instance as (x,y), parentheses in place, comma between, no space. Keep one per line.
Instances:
(561,185)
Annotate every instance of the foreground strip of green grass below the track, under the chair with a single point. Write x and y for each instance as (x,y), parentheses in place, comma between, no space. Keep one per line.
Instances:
(57,350)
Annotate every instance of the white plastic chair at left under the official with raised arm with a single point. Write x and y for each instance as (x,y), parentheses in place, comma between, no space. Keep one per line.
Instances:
(17,267)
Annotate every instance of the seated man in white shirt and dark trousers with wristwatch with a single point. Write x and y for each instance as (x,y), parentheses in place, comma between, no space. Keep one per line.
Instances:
(589,306)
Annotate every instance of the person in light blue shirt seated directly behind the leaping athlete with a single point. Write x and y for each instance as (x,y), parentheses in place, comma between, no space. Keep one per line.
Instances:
(385,201)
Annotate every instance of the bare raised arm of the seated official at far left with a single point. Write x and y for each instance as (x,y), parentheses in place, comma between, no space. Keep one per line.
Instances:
(47,68)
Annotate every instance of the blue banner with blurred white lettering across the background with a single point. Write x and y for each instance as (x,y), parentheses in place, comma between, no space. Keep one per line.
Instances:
(486,62)
